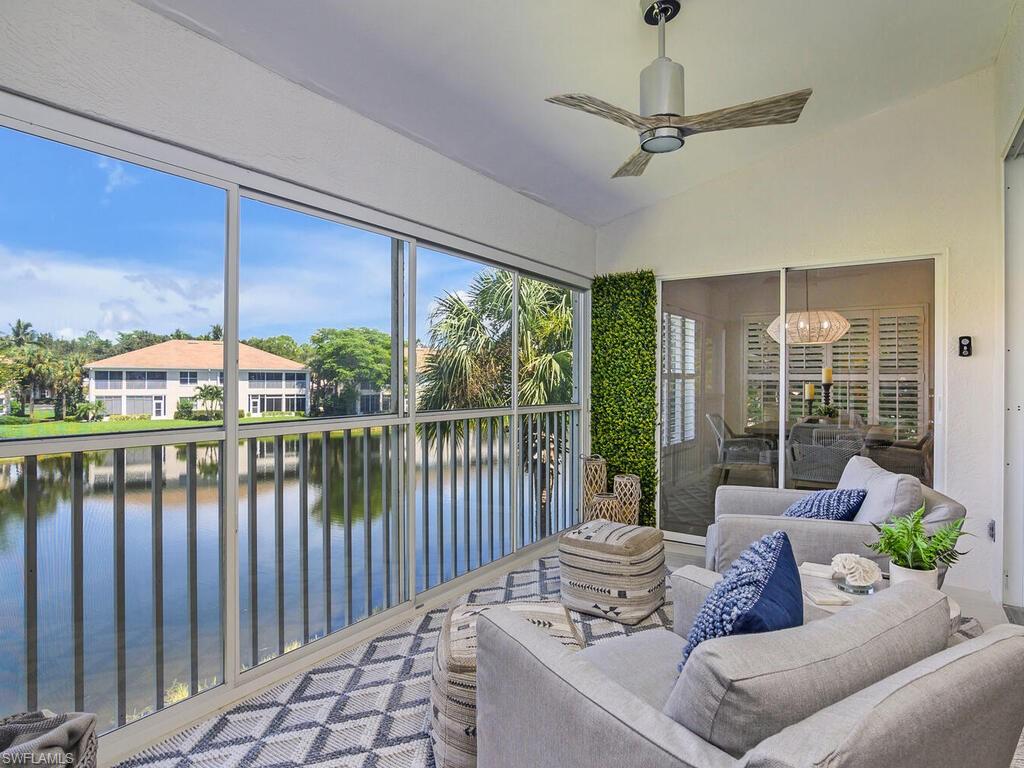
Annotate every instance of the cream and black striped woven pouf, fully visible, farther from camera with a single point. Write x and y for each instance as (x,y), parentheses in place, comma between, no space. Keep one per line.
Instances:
(613,571)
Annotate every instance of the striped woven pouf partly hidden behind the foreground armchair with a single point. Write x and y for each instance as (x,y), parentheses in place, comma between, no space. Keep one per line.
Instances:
(453,679)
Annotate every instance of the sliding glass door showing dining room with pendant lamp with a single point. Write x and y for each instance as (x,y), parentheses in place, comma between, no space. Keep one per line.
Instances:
(859,377)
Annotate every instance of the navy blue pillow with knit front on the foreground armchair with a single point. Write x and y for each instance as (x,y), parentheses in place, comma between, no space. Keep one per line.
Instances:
(760,592)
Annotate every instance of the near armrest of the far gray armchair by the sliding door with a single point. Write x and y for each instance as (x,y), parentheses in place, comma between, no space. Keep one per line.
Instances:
(814,541)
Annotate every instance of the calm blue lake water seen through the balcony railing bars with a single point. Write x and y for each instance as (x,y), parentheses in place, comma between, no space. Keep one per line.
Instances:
(366,483)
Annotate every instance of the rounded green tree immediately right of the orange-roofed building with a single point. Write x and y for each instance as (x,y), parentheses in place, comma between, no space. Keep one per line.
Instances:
(343,361)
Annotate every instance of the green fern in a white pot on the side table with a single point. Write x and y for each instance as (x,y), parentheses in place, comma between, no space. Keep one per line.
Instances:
(914,556)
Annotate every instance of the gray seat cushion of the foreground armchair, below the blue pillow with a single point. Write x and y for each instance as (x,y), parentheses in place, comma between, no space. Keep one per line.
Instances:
(653,680)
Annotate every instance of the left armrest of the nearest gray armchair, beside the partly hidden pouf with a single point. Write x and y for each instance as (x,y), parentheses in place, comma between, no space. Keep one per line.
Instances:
(539,704)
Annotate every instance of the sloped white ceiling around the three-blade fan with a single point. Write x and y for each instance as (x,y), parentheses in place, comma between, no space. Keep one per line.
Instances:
(470,79)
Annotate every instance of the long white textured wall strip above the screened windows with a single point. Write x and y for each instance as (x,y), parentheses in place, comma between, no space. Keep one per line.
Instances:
(121,63)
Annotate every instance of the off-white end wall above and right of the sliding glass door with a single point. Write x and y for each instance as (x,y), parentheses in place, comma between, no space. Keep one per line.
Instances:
(918,179)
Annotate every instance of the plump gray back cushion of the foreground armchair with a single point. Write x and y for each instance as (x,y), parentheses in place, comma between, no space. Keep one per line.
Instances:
(737,692)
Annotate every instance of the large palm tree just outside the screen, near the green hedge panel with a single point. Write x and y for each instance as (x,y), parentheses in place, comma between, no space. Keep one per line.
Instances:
(470,365)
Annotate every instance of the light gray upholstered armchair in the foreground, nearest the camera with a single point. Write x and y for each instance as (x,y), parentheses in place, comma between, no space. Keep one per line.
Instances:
(855,690)
